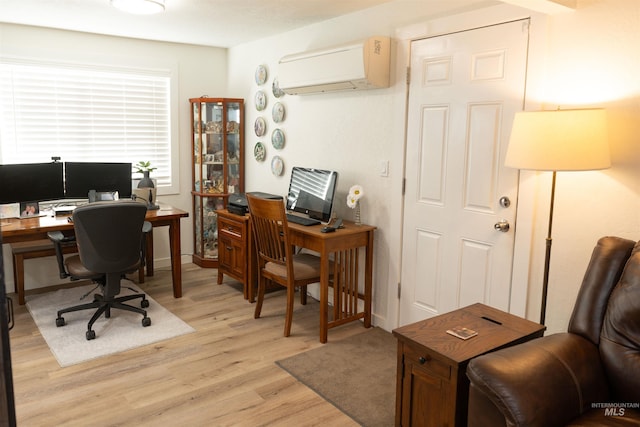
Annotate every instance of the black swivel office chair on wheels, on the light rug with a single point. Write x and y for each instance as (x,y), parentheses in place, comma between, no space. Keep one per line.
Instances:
(108,236)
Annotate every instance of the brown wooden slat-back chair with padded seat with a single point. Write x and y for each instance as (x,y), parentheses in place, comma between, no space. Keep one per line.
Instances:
(276,261)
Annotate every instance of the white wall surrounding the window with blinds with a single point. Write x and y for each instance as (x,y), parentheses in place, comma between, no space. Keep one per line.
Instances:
(198,70)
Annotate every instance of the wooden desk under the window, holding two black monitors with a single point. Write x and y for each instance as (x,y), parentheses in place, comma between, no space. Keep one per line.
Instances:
(21,230)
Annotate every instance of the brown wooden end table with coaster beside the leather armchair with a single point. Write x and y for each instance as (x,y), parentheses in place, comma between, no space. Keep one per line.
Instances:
(432,385)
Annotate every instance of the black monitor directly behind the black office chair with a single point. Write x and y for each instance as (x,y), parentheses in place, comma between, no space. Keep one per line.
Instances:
(81,177)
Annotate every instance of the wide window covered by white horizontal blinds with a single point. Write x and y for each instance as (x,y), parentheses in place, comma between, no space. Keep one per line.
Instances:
(85,113)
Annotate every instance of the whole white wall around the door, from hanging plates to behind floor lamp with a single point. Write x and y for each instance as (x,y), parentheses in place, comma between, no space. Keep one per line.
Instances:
(591,52)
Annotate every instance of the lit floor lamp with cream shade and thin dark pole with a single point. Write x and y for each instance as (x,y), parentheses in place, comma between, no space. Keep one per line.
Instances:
(560,140)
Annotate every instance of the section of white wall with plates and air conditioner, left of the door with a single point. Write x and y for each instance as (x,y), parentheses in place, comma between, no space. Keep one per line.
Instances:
(351,132)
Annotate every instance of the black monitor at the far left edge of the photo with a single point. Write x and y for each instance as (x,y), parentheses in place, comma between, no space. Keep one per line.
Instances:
(30,182)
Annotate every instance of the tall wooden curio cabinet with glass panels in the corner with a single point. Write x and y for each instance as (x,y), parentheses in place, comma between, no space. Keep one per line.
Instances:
(218,168)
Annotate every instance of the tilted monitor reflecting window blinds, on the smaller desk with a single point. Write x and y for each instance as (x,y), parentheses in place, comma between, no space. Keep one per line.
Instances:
(312,192)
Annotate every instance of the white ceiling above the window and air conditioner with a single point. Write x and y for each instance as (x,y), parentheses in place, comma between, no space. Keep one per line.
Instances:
(221,23)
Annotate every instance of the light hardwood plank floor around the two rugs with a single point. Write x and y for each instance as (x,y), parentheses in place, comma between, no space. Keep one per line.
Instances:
(222,375)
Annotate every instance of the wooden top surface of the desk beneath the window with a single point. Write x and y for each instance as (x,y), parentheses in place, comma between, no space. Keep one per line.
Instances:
(18,230)
